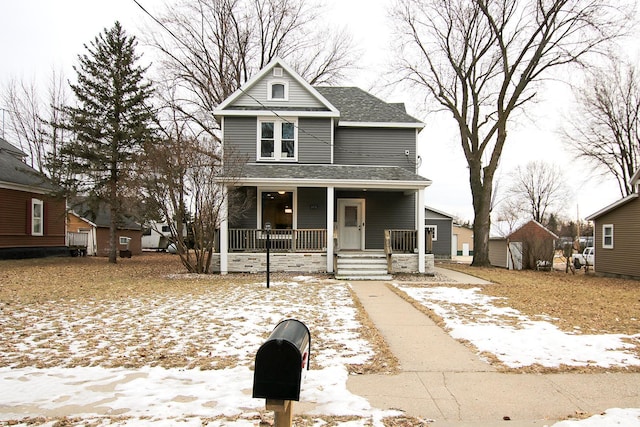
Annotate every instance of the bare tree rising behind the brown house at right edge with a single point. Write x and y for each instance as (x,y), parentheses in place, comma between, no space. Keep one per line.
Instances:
(604,129)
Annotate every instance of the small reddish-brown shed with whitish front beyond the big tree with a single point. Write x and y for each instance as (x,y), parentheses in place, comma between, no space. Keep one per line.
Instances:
(529,247)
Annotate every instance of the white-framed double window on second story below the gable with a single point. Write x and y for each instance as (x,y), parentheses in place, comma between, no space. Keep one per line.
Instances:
(277,139)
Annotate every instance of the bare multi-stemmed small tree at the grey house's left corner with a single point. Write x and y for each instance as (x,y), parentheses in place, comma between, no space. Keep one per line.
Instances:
(184,180)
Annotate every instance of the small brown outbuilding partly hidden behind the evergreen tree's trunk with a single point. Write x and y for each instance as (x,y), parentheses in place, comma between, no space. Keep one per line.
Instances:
(96,224)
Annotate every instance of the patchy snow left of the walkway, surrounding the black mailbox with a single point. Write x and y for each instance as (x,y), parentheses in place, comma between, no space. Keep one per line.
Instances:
(234,323)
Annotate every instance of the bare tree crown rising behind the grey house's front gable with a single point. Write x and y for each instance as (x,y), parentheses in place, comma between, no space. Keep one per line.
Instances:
(210,48)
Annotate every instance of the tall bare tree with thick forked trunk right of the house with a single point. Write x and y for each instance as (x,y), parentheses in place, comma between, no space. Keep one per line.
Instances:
(481,60)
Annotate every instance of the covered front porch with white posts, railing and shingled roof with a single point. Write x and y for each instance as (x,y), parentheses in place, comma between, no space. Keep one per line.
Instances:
(313,212)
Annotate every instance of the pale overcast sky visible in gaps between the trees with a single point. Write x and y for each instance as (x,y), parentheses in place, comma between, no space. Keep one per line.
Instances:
(39,35)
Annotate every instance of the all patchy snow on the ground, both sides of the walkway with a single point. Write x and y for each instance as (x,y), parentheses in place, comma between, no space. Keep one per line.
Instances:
(234,323)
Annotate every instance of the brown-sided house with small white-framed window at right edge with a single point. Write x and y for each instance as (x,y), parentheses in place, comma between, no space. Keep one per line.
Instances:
(616,235)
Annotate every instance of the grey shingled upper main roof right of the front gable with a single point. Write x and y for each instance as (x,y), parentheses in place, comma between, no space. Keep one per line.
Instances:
(357,105)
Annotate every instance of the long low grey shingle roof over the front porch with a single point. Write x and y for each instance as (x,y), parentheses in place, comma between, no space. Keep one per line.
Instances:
(342,173)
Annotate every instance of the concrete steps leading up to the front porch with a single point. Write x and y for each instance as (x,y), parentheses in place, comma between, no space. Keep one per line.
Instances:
(362,266)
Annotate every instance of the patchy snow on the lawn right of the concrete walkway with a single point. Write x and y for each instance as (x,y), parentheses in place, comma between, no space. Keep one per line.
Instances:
(515,339)
